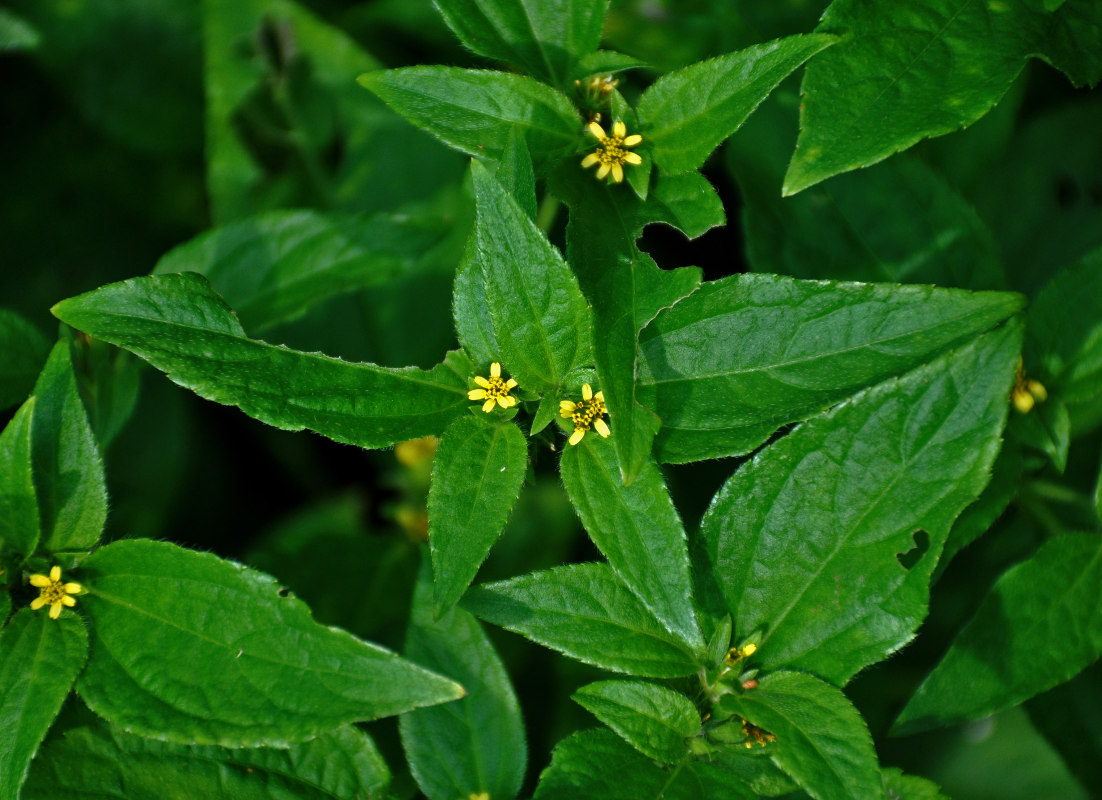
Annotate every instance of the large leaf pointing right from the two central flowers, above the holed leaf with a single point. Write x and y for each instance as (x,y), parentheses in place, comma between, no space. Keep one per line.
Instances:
(744,355)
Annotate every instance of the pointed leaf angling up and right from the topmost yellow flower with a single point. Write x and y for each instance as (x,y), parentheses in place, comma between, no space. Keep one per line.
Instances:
(687,114)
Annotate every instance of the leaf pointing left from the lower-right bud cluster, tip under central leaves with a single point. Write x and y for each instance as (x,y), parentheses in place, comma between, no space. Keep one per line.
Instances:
(587,613)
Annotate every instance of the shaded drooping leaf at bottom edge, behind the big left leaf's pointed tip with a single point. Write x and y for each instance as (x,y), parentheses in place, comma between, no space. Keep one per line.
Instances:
(476,744)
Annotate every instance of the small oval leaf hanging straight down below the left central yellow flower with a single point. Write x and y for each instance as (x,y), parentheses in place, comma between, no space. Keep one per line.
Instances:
(477,478)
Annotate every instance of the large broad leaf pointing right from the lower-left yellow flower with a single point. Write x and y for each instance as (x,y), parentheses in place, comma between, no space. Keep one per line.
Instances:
(272,676)
